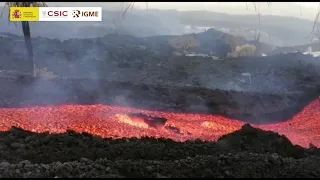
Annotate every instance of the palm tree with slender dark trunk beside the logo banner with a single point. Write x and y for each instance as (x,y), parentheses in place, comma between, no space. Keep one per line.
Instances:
(26,31)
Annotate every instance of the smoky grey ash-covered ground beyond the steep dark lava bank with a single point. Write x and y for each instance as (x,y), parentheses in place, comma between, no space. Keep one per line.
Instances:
(153,61)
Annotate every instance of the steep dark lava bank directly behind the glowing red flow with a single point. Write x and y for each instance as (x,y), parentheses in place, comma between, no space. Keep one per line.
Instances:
(252,107)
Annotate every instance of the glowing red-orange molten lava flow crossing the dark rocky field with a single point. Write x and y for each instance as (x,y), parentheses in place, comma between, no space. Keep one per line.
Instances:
(117,122)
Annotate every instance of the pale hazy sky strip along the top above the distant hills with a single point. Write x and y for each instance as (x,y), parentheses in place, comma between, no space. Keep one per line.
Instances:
(305,10)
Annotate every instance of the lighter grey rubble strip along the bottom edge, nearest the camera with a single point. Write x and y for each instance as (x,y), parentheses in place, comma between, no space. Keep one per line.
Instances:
(239,165)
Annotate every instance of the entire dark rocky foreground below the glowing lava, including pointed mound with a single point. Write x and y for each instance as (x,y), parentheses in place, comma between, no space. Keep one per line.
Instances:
(86,156)
